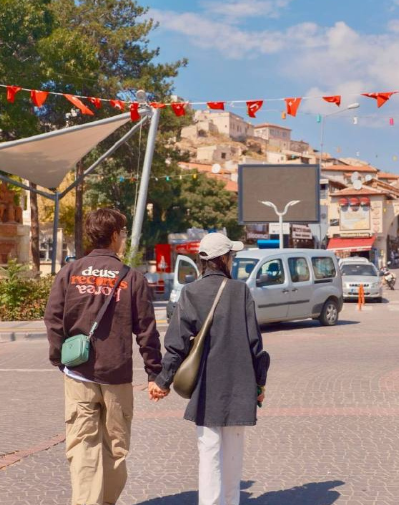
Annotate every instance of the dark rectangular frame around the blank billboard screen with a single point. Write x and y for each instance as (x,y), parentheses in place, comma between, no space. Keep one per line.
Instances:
(243,166)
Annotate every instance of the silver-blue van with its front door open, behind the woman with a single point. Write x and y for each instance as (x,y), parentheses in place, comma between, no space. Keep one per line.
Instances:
(286,284)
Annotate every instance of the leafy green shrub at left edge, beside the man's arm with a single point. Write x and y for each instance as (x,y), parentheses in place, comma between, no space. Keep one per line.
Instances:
(22,298)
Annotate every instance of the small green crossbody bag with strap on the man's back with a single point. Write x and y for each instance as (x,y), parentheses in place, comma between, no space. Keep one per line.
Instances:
(76,350)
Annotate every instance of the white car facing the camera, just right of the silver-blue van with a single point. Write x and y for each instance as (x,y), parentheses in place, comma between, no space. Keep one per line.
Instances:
(356,273)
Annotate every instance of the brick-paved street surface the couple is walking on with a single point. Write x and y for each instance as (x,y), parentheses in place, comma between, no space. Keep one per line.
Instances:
(328,433)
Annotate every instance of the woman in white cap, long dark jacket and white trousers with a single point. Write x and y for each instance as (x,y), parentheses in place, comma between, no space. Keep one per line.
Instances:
(233,372)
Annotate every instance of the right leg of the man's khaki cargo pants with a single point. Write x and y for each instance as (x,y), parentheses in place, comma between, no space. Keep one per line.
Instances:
(116,420)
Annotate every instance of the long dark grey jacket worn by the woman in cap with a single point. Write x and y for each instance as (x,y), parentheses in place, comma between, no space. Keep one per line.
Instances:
(234,362)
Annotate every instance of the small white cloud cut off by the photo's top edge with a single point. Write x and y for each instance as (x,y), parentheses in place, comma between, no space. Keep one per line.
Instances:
(235,10)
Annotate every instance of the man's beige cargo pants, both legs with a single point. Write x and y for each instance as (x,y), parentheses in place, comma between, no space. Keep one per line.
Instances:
(98,420)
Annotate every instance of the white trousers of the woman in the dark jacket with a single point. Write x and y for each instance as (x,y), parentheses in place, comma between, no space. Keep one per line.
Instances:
(221,451)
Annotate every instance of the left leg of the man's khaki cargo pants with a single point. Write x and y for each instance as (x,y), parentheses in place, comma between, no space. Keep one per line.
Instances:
(83,404)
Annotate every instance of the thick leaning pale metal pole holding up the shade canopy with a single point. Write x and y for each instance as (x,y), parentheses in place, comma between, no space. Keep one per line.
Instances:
(145,178)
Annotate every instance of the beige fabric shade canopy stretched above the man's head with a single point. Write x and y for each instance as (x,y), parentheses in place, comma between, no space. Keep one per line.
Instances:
(46,159)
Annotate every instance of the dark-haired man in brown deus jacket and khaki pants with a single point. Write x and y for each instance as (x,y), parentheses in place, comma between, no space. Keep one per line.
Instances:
(98,393)
